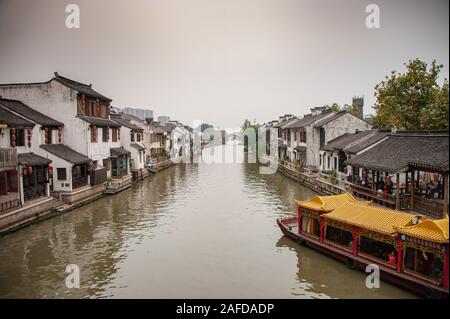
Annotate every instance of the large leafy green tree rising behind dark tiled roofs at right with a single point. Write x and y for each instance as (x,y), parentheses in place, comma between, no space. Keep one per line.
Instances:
(412,100)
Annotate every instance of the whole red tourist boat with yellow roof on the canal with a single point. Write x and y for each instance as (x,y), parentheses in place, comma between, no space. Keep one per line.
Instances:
(410,250)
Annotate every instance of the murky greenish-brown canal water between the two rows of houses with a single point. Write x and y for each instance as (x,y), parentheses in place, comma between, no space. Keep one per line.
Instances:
(190,231)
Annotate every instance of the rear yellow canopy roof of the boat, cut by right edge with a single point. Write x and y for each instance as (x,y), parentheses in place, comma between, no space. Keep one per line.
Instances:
(430,230)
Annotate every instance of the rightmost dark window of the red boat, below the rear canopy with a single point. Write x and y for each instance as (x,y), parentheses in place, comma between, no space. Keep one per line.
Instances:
(424,262)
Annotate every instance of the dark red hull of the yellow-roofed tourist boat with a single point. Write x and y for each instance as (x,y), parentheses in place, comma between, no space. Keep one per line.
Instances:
(413,284)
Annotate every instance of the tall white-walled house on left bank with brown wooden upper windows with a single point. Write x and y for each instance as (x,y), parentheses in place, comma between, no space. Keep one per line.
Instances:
(87,127)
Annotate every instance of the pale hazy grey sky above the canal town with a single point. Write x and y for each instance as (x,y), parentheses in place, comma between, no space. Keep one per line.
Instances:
(221,61)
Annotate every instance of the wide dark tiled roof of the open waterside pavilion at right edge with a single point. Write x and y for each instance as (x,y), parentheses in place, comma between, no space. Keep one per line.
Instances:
(400,152)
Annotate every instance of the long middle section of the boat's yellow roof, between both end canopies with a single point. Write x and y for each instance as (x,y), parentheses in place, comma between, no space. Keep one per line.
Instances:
(382,220)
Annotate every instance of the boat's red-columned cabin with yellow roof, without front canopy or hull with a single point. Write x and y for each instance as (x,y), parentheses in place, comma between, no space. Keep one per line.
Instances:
(403,242)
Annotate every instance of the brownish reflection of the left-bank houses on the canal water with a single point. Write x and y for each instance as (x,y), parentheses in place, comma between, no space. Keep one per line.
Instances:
(96,237)
